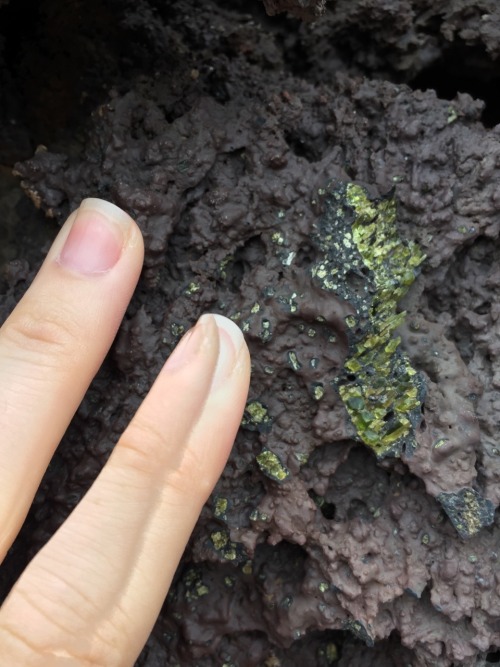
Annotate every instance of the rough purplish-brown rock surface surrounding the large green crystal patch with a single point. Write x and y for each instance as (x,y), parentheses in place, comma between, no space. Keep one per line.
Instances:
(312,550)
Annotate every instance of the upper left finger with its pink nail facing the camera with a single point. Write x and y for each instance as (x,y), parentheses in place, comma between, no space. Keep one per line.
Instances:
(53,343)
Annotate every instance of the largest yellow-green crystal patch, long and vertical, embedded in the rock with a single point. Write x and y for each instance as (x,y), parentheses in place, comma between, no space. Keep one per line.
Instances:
(367,264)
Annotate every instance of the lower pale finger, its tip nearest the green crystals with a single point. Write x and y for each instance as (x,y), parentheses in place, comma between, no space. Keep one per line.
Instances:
(92,594)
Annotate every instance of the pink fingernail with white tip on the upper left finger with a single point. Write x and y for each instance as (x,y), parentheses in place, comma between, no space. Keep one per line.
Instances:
(96,239)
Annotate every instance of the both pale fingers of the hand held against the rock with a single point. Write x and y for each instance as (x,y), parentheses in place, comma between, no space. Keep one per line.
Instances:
(90,597)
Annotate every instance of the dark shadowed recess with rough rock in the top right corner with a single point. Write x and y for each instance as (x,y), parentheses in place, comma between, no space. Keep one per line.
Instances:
(447,45)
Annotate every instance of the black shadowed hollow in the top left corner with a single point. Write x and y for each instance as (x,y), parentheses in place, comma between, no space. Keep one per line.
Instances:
(59,57)
